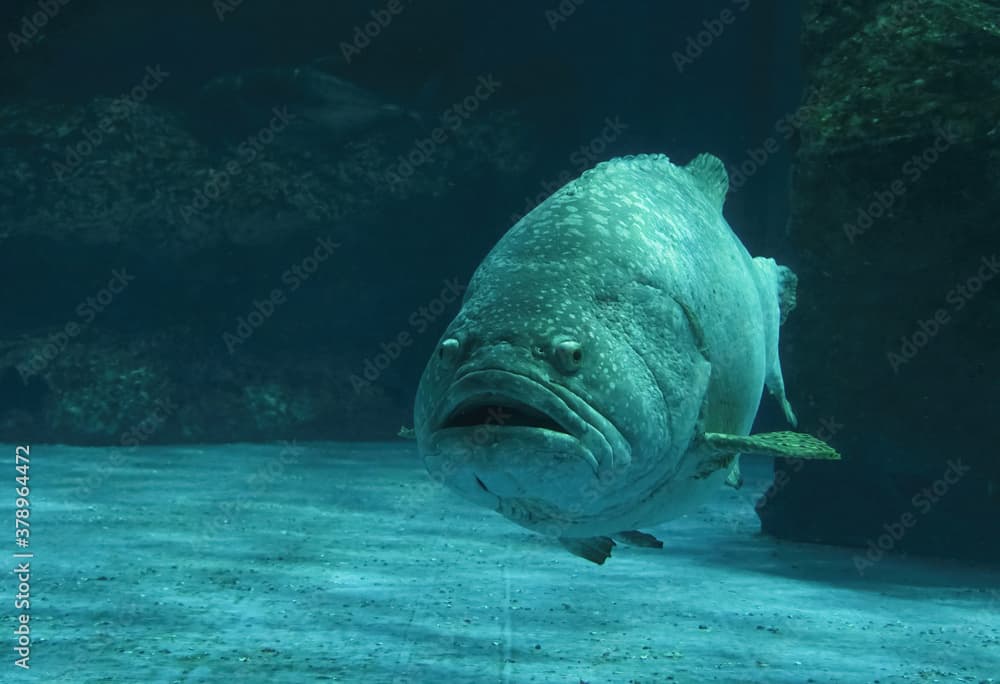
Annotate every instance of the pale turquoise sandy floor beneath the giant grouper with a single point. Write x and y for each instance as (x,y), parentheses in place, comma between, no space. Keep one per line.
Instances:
(343,562)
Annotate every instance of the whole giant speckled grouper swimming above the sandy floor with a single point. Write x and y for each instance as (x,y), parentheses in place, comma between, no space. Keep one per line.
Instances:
(609,358)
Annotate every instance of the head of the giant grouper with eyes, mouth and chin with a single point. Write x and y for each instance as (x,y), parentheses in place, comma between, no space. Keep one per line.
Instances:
(538,406)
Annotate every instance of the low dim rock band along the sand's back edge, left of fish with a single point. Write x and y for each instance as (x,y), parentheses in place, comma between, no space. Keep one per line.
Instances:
(170,386)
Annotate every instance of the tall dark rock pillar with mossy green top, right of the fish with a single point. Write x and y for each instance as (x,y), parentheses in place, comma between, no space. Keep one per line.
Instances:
(896,190)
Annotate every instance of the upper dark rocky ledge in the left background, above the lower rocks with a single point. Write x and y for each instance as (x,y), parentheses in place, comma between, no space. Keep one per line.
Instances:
(132,175)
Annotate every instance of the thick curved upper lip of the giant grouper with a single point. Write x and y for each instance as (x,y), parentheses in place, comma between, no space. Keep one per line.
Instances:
(558,403)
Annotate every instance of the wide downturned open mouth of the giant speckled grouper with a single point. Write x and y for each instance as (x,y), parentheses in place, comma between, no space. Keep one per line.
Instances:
(504,404)
